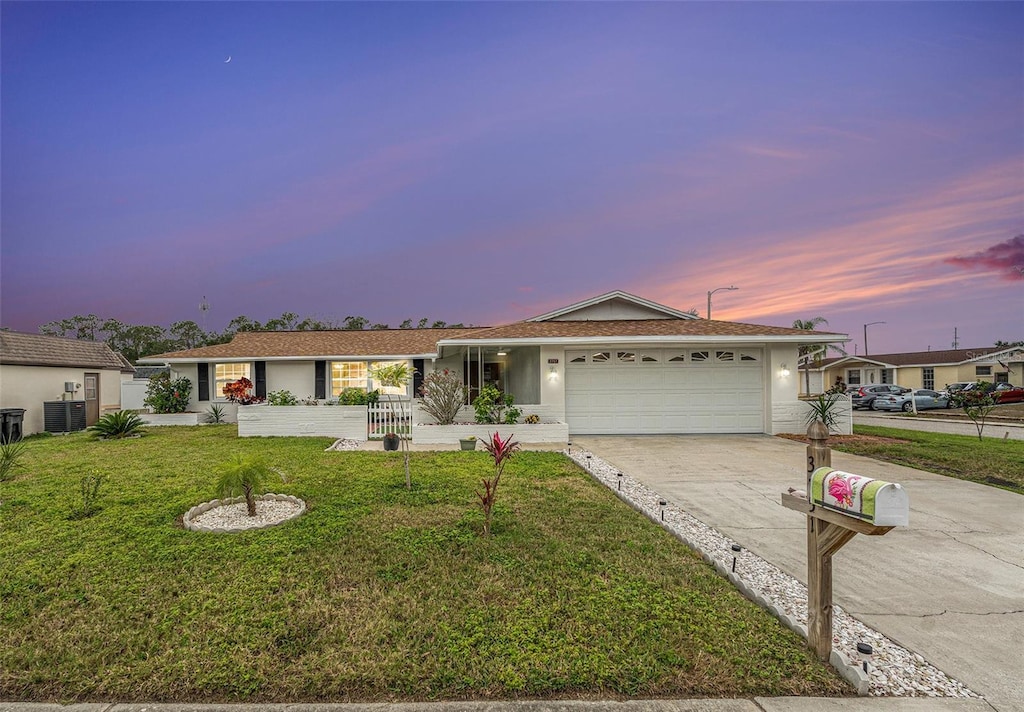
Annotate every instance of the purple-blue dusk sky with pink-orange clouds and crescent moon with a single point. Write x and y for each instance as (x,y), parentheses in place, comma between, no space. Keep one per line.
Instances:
(487,162)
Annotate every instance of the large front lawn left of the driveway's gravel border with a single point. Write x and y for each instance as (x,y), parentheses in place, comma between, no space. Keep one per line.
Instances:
(376,594)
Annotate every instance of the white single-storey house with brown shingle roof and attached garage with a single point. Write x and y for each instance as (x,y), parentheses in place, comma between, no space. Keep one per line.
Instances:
(614,364)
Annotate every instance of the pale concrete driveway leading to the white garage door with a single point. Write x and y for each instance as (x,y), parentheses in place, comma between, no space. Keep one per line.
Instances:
(950,588)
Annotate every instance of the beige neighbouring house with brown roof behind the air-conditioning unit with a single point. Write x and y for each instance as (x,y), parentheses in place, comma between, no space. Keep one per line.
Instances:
(35,369)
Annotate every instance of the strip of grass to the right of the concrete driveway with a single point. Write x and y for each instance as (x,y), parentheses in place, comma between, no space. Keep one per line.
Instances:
(991,462)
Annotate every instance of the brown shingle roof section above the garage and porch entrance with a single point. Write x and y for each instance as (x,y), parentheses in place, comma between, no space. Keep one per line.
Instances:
(641,328)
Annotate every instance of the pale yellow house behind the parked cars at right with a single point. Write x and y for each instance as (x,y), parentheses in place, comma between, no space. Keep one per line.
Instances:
(927,369)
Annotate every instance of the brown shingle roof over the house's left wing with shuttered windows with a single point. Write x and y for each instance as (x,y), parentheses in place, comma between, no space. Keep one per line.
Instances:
(314,345)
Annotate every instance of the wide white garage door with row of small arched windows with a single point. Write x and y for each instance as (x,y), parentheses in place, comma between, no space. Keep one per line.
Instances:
(665,391)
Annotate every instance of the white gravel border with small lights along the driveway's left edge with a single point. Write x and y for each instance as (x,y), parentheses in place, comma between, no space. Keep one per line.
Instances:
(894,672)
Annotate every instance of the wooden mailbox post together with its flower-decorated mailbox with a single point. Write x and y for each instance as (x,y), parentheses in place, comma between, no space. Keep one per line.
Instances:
(839,507)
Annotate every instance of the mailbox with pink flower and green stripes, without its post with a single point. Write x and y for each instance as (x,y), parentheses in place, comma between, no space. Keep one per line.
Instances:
(875,501)
